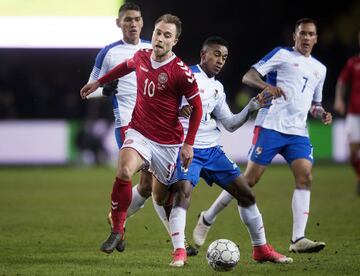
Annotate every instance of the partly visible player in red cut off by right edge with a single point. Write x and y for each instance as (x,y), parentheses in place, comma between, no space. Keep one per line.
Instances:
(350,78)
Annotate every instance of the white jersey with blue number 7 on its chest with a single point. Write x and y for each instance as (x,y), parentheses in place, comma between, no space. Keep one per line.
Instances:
(301,78)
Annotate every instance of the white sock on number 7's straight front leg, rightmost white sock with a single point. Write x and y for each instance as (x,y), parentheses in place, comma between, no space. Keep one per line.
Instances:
(300,206)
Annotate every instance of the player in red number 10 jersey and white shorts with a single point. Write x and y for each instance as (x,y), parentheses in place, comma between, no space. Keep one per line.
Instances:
(155,133)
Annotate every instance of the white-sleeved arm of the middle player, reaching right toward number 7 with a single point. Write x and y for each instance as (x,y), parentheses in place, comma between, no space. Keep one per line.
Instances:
(232,122)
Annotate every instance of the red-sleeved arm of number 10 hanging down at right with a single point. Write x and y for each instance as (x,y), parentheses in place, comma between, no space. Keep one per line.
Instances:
(187,153)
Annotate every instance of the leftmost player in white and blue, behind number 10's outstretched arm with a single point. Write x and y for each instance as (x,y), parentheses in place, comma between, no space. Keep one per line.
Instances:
(130,22)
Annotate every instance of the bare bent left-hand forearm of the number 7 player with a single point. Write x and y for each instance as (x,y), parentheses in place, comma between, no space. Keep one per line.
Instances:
(254,79)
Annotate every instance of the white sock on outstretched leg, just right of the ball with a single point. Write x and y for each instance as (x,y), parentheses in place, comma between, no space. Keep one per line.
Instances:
(252,218)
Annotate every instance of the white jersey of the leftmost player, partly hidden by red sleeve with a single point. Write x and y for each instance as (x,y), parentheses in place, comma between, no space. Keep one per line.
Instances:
(110,56)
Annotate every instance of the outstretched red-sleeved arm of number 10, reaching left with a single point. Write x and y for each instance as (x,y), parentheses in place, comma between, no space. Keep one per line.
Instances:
(120,70)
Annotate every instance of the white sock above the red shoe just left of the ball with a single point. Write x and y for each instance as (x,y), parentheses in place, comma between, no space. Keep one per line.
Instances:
(177,227)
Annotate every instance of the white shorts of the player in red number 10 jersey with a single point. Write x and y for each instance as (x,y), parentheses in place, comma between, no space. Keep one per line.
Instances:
(160,158)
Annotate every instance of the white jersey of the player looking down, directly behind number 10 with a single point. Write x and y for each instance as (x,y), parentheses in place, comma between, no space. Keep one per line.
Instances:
(213,100)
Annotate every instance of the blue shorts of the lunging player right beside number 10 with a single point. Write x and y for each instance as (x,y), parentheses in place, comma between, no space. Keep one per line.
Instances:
(212,165)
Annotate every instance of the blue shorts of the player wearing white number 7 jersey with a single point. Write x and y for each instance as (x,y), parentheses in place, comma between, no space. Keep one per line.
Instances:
(267,143)
